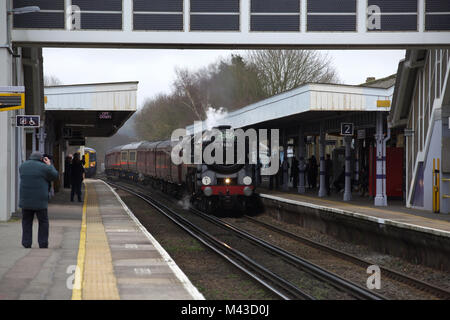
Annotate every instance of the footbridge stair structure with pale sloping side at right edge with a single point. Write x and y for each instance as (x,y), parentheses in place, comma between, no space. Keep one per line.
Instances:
(421,108)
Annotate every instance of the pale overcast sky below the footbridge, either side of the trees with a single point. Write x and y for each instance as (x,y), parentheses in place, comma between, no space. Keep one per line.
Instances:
(154,69)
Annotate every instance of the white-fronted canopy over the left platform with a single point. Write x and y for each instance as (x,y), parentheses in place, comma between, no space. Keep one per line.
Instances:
(90,110)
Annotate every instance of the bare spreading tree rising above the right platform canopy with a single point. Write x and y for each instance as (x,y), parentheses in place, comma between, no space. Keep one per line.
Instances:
(283,70)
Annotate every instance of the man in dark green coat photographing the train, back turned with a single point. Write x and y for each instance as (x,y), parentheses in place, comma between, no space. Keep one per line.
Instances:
(35,176)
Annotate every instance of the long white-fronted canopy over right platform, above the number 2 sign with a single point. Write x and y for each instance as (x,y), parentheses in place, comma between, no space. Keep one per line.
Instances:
(313,103)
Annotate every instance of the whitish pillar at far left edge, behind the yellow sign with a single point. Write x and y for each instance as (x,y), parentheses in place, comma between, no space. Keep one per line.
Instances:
(7,169)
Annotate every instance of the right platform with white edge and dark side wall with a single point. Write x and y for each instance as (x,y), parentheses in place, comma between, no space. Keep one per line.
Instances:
(417,236)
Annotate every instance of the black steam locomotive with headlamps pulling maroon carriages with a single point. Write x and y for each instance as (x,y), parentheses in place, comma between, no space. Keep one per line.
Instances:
(209,187)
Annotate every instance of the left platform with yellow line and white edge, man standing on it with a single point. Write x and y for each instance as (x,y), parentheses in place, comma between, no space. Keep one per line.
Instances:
(97,250)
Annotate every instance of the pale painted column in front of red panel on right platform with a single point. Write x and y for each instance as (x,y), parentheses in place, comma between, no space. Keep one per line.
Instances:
(380,198)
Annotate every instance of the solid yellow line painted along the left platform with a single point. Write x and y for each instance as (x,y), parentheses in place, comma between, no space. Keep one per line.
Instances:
(79,271)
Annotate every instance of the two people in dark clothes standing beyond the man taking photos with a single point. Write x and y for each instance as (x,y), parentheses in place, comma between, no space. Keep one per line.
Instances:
(74,174)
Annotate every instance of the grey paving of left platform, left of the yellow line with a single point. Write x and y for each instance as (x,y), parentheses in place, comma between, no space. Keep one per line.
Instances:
(41,273)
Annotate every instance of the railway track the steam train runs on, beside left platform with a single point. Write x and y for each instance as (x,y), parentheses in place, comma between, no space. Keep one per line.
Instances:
(270,279)
